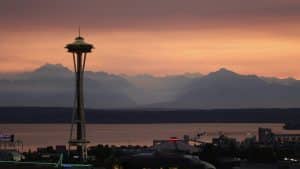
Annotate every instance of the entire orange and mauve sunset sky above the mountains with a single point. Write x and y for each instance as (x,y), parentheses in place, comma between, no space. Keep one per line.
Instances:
(155,36)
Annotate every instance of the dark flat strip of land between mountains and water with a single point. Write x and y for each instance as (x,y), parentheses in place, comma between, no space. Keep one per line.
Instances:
(148,116)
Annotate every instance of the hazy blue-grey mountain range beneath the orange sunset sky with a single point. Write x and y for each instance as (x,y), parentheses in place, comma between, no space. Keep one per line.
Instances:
(52,85)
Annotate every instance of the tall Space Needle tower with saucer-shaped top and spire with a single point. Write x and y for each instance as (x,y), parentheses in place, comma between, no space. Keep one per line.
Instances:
(79,48)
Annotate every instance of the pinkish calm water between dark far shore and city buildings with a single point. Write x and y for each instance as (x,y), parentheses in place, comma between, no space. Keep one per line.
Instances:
(41,135)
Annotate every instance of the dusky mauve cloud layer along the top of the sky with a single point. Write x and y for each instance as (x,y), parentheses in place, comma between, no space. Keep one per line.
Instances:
(144,14)
